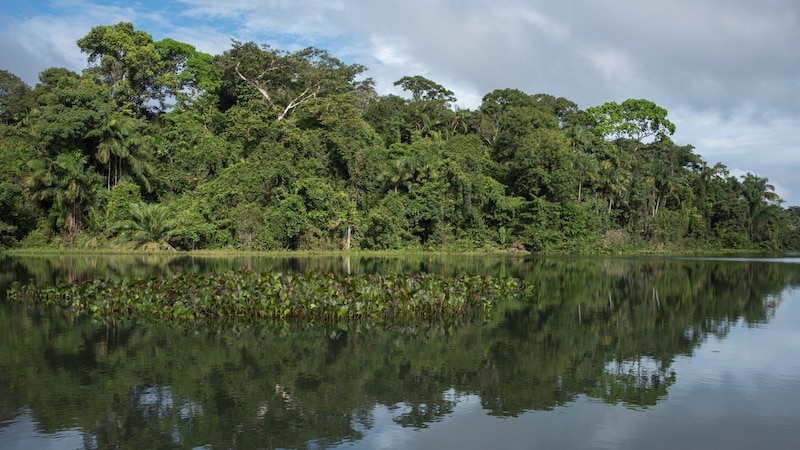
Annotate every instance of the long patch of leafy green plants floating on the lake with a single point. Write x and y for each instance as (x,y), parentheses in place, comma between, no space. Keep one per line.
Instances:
(283,299)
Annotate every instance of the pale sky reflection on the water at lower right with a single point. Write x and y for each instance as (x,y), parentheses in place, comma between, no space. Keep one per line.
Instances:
(738,392)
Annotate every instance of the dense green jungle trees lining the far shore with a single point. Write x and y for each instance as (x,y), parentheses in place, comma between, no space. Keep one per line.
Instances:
(158,145)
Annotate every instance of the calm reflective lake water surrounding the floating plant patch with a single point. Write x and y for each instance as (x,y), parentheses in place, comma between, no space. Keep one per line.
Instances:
(606,353)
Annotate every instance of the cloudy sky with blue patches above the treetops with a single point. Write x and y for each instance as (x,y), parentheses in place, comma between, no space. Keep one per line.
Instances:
(727,71)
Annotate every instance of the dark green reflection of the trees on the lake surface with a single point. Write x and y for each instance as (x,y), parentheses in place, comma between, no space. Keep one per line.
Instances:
(608,329)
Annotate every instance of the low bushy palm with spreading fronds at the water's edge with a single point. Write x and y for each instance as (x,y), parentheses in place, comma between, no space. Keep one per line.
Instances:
(151,226)
